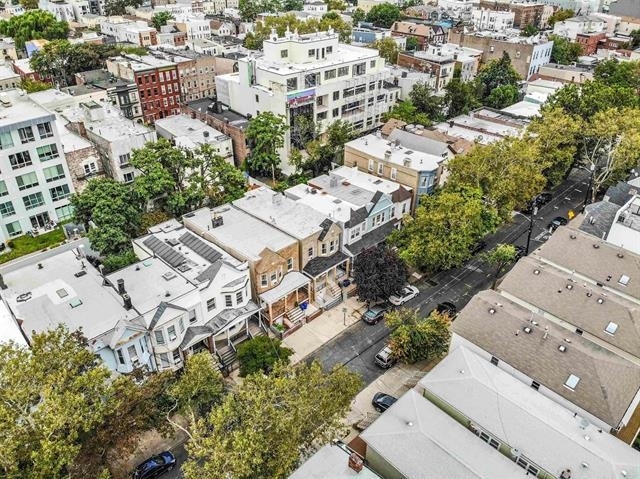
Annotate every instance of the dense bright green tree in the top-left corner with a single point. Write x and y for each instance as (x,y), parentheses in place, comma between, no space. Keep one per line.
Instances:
(33,24)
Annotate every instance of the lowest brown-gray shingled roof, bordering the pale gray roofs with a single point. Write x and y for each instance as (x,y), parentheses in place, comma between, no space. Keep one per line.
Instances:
(607,382)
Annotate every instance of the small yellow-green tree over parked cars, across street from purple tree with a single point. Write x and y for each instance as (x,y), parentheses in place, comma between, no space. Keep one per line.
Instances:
(415,339)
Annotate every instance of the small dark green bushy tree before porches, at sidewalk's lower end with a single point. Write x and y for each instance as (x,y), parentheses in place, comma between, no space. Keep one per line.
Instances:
(261,354)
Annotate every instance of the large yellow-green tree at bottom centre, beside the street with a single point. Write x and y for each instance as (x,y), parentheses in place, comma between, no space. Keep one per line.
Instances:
(270,422)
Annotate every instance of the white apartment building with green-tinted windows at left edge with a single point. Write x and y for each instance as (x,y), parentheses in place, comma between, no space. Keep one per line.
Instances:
(35,183)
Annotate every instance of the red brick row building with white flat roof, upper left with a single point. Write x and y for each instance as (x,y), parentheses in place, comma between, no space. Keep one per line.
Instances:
(157,81)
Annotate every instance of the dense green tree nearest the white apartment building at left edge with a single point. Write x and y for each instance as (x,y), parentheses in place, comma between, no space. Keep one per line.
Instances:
(114,208)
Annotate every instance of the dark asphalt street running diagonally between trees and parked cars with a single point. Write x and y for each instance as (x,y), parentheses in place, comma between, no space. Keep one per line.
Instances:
(357,346)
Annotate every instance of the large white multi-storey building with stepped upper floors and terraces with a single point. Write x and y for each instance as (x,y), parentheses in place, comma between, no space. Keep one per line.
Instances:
(312,75)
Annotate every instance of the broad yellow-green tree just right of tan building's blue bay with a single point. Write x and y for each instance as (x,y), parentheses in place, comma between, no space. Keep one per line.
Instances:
(509,173)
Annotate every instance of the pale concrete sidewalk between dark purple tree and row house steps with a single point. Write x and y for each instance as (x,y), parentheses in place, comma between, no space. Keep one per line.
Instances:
(324,328)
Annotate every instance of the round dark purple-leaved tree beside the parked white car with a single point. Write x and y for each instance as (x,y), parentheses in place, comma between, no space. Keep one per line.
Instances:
(379,273)
